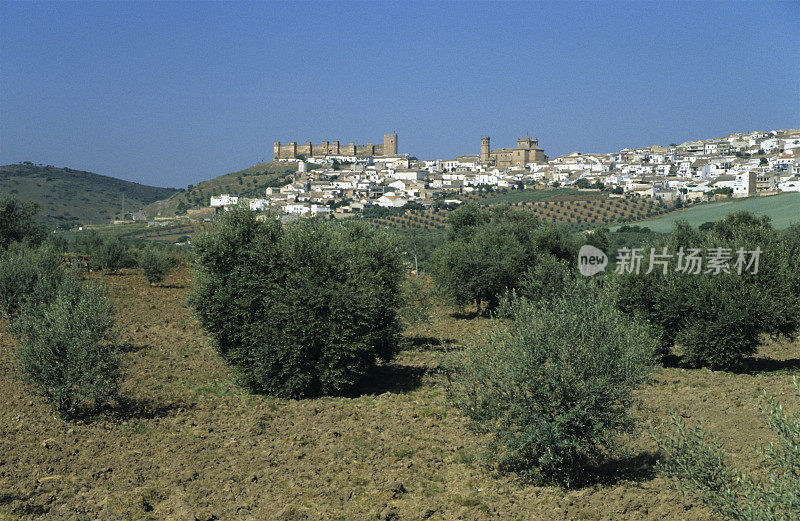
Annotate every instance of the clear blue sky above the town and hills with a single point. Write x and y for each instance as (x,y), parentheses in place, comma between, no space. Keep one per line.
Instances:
(171,93)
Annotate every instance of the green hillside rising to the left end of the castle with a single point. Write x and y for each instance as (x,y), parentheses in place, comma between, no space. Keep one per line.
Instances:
(250,182)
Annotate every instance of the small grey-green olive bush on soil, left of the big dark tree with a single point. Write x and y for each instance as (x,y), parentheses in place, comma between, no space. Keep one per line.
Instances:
(64,347)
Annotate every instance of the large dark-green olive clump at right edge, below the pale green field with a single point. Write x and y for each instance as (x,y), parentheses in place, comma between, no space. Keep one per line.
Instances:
(718,319)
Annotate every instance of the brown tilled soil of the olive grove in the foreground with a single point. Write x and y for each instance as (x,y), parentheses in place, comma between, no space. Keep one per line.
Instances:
(192,445)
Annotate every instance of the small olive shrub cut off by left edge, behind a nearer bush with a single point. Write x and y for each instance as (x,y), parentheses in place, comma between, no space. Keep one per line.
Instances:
(23,269)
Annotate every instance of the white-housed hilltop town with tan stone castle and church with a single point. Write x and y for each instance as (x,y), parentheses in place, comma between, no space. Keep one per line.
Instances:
(346,179)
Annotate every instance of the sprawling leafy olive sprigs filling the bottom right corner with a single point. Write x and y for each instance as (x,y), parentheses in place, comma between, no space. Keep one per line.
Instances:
(697,460)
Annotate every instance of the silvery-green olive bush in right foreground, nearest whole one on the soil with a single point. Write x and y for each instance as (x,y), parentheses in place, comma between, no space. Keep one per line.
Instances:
(553,386)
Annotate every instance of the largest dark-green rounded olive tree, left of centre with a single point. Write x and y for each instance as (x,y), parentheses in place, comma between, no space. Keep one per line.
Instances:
(301,310)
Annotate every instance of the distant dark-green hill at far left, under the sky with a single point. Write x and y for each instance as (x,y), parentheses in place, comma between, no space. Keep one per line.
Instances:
(71,197)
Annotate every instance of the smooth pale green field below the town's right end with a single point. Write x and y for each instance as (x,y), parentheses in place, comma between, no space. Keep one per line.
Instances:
(783,209)
